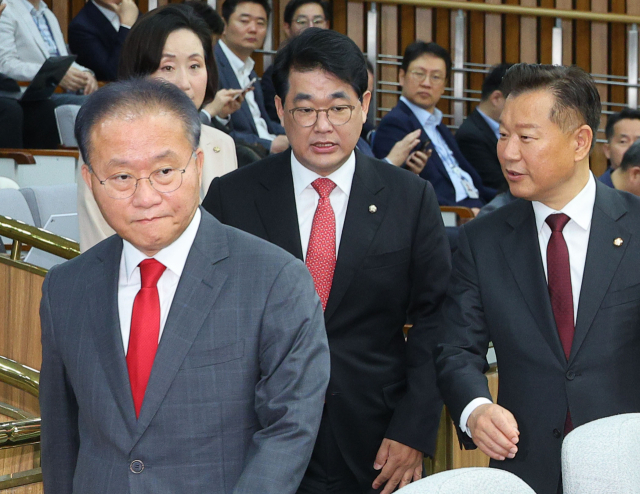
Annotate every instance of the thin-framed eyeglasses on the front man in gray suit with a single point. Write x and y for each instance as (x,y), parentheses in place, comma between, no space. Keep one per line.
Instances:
(124,185)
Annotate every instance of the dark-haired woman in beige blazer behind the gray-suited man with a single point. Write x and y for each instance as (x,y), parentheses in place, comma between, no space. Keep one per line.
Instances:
(186,60)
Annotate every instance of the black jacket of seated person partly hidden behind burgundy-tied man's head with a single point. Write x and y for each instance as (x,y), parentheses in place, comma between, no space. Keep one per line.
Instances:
(477,142)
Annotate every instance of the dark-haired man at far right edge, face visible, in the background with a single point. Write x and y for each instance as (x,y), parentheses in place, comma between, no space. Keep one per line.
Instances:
(622,130)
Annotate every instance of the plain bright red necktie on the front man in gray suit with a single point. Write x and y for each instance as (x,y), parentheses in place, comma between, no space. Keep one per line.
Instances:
(145,330)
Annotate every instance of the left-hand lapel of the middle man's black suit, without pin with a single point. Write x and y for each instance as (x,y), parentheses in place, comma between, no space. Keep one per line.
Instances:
(276,205)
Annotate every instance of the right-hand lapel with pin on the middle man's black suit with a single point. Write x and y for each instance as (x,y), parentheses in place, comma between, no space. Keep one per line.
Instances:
(360,227)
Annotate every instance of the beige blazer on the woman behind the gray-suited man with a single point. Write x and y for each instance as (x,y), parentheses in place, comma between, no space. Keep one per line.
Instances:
(219,158)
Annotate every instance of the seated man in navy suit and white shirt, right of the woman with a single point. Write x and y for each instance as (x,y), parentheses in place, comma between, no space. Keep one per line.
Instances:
(245,29)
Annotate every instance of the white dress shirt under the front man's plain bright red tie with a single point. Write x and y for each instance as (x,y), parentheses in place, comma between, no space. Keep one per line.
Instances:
(173,256)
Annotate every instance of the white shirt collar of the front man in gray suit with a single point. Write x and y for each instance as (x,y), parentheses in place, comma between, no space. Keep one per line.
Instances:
(174,256)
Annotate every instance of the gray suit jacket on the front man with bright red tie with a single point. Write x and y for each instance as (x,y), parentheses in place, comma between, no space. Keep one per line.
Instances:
(235,395)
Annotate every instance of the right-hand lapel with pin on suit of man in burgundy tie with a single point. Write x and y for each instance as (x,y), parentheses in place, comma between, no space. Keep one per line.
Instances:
(602,260)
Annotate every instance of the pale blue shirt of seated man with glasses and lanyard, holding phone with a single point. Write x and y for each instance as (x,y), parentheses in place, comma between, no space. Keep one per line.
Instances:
(461,180)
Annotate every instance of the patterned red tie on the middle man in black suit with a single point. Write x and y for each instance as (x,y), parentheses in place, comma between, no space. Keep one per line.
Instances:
(321,254)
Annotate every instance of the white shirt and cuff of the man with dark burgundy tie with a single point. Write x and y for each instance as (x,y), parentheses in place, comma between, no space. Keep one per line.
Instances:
(576,235)
